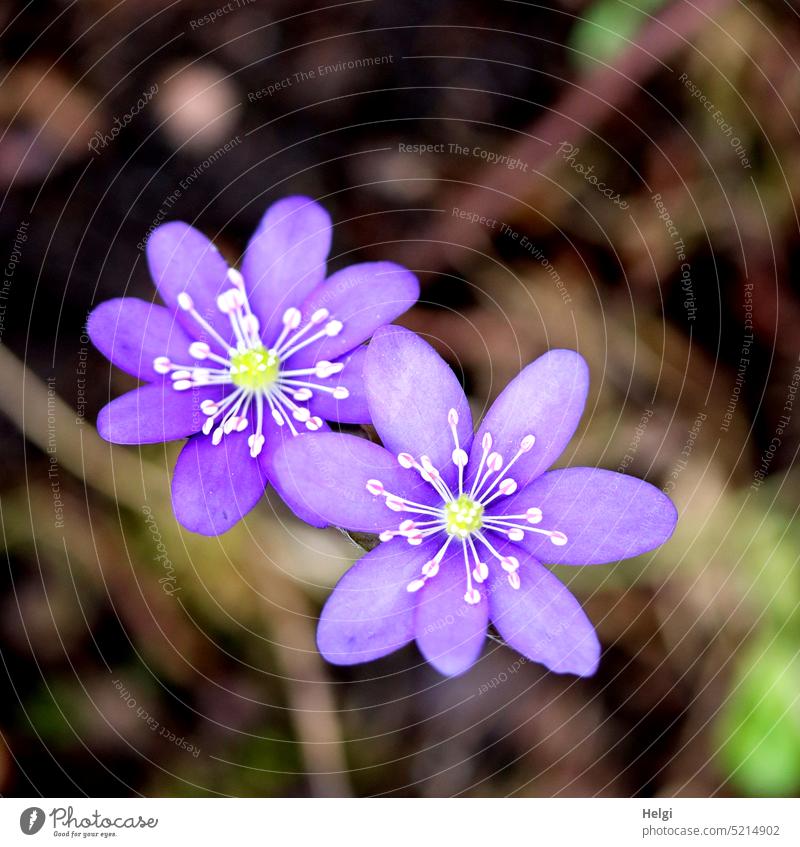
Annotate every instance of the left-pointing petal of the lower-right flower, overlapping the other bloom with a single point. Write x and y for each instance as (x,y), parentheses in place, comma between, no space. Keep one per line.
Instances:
(326,473)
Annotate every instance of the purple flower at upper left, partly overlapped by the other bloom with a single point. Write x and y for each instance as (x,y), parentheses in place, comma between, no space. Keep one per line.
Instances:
(241,361)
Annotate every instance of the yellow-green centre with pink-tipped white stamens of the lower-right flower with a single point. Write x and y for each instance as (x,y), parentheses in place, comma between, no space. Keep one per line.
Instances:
(462,514)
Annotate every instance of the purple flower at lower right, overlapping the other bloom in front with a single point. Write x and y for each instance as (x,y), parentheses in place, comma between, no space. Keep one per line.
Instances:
(466,522)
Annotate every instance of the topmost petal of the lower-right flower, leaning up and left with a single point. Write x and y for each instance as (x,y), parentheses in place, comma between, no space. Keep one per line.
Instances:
(410,390)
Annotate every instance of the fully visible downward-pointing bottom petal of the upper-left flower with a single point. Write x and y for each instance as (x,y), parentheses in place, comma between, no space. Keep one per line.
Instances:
(214,487)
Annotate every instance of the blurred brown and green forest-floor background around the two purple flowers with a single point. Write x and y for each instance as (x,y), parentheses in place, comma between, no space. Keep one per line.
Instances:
(636,166)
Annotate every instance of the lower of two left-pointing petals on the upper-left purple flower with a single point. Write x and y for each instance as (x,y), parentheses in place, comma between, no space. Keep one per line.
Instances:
(154,413)
